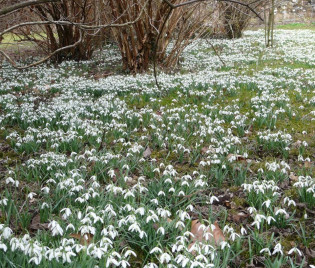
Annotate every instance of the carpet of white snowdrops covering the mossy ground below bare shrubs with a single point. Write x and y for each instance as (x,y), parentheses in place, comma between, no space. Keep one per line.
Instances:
(110,171)
